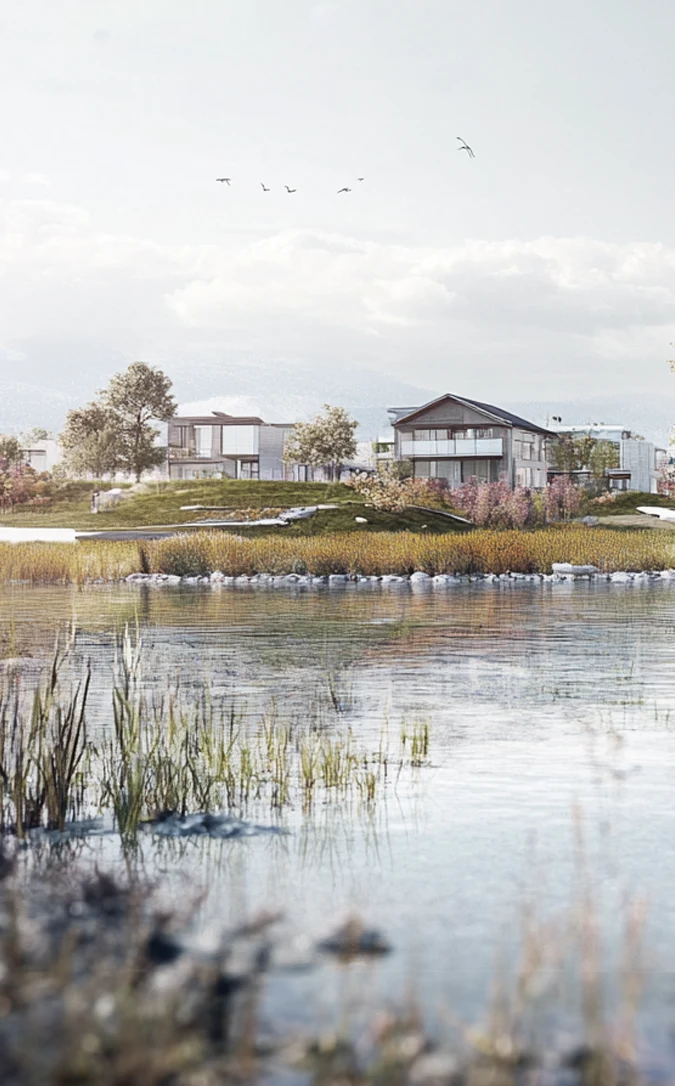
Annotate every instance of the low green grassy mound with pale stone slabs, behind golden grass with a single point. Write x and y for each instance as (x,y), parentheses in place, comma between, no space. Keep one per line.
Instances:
(161,504)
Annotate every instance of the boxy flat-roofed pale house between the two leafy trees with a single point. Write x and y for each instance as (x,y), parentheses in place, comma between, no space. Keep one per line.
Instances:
(228,447)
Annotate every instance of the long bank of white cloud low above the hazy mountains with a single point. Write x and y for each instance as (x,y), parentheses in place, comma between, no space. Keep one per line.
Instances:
(506,318)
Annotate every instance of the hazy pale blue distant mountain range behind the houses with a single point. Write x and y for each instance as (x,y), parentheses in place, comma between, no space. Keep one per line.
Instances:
(284,393)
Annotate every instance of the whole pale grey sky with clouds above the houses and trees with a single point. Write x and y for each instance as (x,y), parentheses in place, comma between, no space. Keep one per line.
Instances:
(542,271)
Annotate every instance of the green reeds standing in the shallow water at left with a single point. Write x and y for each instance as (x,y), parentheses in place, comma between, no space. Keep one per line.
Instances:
(173,754)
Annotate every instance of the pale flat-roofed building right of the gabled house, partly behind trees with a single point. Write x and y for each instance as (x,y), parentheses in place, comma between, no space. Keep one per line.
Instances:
(639,462)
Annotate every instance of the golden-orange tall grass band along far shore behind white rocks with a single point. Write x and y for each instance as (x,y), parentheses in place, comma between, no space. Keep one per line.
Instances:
(371,554)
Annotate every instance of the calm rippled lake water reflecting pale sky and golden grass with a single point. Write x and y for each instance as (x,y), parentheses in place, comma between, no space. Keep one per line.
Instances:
(542,703)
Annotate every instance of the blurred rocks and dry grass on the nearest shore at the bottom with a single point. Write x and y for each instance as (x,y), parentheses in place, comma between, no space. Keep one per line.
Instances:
(100,987)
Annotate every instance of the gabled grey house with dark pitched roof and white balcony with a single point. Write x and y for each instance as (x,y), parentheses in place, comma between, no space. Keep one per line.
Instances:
(457,439)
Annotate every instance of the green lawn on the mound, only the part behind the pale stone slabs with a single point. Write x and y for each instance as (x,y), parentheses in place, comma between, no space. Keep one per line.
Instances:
(160,503)
